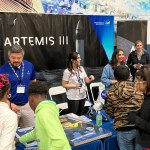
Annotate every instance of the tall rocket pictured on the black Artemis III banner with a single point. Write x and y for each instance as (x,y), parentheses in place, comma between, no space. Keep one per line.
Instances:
(80,41)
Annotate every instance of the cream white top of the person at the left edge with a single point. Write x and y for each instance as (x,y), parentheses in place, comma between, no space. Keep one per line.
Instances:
(8,126)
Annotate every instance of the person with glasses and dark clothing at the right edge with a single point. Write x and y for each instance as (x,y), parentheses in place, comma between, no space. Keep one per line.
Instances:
(141,118)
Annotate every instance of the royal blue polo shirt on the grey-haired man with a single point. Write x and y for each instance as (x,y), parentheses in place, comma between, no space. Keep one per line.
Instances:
(28,74)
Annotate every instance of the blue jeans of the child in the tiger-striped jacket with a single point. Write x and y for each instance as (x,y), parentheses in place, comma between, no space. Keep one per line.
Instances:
(127,140)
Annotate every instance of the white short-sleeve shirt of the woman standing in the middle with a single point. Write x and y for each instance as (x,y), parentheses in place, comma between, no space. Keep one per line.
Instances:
(73,78)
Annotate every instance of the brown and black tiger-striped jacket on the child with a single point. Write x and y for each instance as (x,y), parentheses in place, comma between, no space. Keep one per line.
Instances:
(121,99)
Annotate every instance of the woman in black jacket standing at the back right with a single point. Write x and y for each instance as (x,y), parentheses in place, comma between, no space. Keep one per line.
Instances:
(137,58)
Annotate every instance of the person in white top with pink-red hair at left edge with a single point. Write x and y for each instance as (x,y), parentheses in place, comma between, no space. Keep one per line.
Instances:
(8,119)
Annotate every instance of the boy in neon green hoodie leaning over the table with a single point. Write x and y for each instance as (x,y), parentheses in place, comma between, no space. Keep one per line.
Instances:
(48,130)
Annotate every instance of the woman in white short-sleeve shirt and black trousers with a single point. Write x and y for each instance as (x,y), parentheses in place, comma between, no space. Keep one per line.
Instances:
(74,80)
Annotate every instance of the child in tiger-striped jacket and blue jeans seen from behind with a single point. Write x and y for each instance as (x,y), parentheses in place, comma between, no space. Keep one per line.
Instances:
(121,99)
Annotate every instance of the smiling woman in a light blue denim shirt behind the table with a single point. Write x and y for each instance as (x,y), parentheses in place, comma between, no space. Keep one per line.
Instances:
(107,77)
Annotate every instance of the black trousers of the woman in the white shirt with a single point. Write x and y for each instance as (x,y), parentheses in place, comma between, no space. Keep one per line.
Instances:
(76,106)
